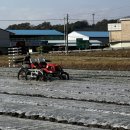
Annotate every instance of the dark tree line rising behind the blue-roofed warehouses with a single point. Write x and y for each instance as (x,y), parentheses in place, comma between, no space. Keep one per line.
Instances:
(76,26)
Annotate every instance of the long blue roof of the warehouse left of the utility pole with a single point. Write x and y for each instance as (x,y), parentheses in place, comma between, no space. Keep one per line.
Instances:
(36,32)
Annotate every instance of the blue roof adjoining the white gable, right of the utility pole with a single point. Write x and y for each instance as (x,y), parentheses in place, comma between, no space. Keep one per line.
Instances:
(94,33)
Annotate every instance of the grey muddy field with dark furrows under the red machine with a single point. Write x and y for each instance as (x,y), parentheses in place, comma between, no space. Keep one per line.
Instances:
(90,100)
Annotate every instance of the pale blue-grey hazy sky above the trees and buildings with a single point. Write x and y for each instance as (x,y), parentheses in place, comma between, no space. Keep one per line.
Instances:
(54,11)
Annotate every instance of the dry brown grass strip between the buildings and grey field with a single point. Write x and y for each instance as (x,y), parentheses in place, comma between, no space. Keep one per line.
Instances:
(95,60)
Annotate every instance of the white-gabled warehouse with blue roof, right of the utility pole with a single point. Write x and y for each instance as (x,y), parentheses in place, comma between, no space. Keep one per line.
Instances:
(96,39)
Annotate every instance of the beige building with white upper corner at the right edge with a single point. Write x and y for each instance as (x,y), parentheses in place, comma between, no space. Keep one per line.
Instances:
(119,34)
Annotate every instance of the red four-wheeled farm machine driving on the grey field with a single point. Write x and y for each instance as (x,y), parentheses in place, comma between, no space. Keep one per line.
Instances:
(41,70)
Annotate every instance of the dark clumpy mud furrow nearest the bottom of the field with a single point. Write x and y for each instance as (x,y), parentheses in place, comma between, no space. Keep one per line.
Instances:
(43,118)
